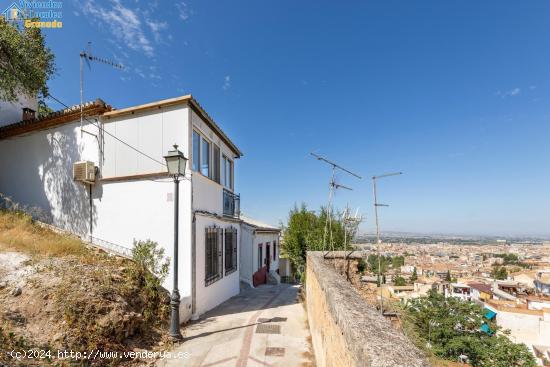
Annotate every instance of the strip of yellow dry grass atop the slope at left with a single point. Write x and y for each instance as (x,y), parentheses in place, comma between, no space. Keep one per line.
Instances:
(18,232)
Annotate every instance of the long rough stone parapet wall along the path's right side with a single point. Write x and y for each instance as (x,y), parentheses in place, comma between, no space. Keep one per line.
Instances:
(345,330)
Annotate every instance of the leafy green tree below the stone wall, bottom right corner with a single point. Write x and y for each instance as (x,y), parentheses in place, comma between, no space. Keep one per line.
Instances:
(453,327)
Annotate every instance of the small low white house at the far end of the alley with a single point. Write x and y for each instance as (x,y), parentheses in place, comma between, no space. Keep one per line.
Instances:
(259,252)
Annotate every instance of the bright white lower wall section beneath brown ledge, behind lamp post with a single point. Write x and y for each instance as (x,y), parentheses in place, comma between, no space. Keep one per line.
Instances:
(144,210)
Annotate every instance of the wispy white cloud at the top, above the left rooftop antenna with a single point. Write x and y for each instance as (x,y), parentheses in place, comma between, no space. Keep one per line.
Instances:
(123,22)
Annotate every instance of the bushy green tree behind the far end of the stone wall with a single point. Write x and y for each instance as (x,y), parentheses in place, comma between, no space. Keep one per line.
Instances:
(305,231)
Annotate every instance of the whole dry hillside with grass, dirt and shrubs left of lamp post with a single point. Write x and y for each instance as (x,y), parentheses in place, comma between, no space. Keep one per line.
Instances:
(58,295)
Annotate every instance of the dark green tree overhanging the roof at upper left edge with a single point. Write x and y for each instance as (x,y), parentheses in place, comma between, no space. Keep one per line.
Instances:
(26,64)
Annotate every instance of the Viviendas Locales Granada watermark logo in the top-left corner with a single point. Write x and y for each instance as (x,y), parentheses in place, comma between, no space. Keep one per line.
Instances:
(35,14)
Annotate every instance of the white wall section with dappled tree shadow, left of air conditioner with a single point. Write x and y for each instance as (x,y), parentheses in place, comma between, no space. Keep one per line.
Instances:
(37,171)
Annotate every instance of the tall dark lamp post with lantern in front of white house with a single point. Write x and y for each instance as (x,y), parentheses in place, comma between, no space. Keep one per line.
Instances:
(175,162)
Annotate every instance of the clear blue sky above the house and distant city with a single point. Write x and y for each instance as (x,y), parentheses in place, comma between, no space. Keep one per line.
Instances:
(453,93)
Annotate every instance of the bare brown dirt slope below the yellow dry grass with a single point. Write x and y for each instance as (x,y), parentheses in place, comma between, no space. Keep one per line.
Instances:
(46,303)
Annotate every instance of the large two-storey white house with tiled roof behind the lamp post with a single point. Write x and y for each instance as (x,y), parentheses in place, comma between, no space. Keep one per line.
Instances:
(131,197)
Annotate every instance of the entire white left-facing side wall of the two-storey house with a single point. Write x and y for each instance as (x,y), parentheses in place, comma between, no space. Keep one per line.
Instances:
(37,171)
